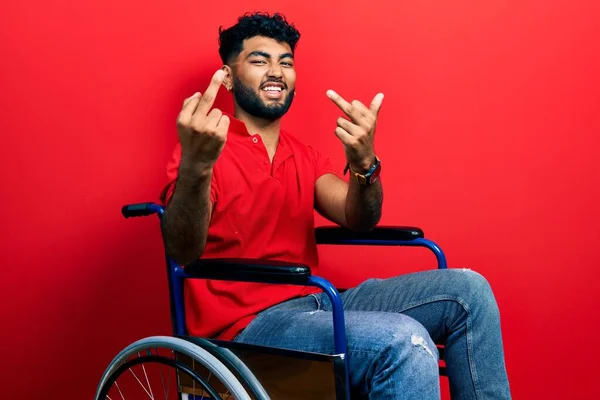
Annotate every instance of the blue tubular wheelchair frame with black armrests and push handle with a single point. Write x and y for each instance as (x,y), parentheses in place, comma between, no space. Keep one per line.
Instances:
(283,273)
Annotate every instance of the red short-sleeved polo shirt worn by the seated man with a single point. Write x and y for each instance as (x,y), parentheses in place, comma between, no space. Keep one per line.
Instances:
(261,210)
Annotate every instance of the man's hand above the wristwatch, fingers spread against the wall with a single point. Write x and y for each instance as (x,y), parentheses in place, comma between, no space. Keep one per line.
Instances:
(358,133)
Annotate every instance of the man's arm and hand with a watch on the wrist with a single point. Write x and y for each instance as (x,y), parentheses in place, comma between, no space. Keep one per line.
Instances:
(352,205)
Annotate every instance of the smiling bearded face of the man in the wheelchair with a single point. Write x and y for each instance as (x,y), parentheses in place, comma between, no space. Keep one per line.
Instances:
(263,78)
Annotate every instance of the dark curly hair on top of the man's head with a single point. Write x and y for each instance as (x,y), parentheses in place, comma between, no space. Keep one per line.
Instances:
(276,27)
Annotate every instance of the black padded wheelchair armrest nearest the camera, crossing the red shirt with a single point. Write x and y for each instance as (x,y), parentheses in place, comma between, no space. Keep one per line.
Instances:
(249,270)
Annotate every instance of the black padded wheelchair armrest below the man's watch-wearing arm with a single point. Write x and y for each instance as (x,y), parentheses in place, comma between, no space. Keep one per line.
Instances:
(339,235)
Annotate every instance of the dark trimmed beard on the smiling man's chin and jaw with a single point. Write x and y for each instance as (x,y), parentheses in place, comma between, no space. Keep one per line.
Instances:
(250,102)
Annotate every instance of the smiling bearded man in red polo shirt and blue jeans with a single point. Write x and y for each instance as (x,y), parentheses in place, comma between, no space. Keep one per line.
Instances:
(242,187)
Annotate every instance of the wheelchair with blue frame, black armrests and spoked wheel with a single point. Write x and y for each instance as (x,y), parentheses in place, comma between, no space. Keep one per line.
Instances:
(190,368)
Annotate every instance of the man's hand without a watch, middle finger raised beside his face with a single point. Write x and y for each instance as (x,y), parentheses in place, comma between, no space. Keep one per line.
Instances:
(202,134)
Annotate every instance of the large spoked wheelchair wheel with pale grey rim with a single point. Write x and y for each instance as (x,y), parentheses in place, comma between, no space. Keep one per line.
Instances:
(167,367)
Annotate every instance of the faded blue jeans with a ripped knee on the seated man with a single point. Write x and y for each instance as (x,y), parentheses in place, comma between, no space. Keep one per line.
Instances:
(392,326)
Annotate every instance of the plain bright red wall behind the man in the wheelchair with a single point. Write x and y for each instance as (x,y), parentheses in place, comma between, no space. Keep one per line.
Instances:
(488,136)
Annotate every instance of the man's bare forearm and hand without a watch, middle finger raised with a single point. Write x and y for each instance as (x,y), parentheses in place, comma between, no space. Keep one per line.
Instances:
(202,135)
